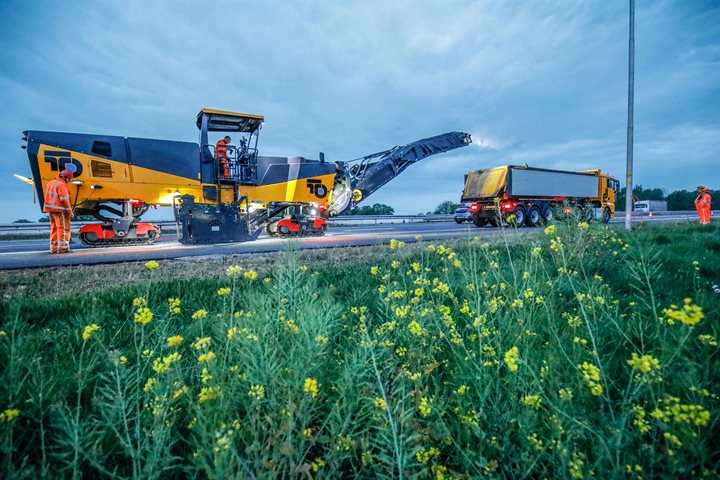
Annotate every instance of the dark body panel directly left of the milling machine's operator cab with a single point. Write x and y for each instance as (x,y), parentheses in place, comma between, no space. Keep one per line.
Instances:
(176,158)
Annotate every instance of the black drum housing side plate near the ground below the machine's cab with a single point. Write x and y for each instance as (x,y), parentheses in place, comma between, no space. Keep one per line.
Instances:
(200,223)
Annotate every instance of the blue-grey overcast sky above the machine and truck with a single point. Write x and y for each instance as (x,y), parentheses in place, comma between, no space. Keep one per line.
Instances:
(537,82)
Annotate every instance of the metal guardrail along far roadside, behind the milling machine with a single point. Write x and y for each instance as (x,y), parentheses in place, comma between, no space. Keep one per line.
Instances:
(170,225)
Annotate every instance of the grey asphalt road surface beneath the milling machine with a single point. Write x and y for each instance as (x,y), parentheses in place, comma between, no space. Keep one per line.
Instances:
(15,254)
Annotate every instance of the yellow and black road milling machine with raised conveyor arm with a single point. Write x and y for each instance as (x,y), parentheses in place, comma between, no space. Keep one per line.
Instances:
(228,195)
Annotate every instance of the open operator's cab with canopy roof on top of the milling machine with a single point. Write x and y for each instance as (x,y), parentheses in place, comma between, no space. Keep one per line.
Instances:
(237,161)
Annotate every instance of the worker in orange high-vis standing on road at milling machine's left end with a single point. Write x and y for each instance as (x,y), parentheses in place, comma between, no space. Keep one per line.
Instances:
(57,206)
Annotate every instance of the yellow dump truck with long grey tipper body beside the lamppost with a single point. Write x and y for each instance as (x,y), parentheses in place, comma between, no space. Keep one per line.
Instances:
(523,195)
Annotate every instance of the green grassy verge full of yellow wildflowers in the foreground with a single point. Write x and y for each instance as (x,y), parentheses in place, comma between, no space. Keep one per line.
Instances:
(466,360)
